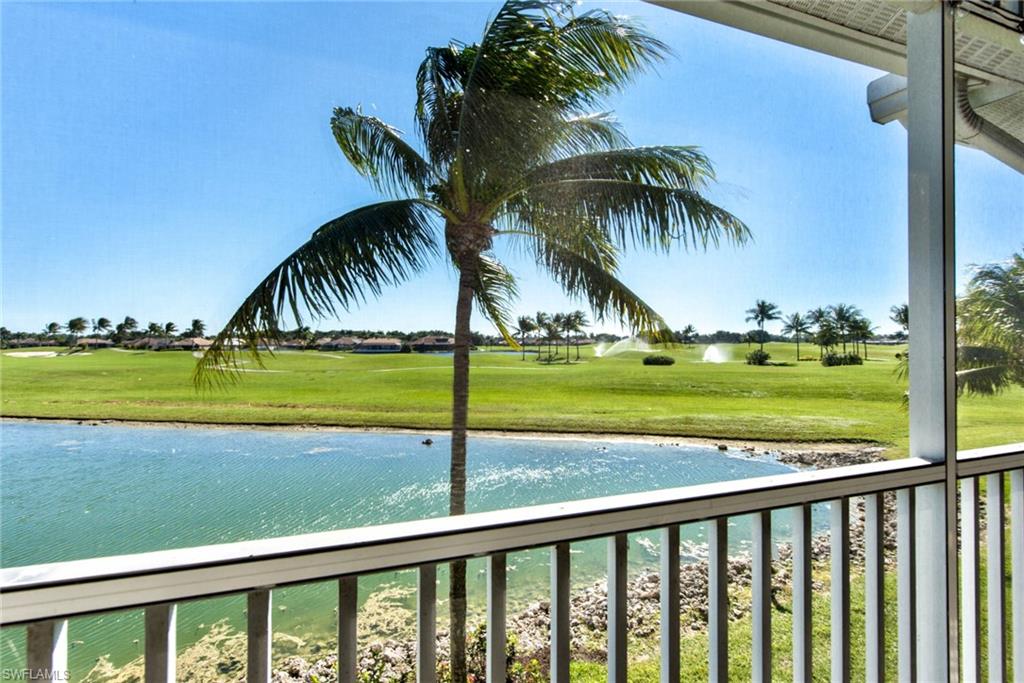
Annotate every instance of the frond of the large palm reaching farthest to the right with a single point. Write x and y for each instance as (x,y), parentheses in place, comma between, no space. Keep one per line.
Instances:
(630,214)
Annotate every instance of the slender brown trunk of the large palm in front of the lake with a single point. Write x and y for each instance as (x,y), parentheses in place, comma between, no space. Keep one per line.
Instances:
(460,415)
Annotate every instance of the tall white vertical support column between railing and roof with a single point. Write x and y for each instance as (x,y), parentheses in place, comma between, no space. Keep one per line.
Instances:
(933,398)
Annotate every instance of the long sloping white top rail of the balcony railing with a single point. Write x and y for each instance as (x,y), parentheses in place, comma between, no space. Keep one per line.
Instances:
(64,589)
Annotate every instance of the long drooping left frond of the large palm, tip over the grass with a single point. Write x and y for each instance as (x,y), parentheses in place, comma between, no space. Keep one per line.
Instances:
(346,261)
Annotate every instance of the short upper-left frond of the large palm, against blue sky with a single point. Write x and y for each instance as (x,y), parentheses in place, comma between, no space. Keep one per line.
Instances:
(377,152)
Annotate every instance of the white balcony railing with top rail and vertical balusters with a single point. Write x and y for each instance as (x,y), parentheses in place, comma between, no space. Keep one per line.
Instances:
(45,596)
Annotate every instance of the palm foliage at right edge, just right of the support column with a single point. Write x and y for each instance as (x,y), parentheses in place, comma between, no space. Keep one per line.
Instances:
(991,330)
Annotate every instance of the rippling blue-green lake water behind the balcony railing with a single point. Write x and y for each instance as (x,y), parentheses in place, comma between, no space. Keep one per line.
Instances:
(73,492)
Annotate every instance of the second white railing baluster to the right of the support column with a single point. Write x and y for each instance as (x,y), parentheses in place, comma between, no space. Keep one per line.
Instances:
(996,563)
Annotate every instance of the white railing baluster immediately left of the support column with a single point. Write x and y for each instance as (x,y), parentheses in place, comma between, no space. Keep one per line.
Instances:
(907,600)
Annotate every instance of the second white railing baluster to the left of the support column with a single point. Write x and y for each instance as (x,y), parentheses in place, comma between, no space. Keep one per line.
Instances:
(875,588)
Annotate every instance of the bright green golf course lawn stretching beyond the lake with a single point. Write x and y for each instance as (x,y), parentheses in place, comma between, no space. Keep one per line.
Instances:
(793,402)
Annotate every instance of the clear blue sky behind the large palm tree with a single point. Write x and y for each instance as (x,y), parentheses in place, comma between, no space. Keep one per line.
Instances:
(159,159)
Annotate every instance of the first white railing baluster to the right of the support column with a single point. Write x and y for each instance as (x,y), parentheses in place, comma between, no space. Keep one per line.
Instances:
(970,582)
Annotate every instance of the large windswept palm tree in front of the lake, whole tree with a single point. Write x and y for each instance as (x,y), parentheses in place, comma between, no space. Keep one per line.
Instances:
(514,155)
